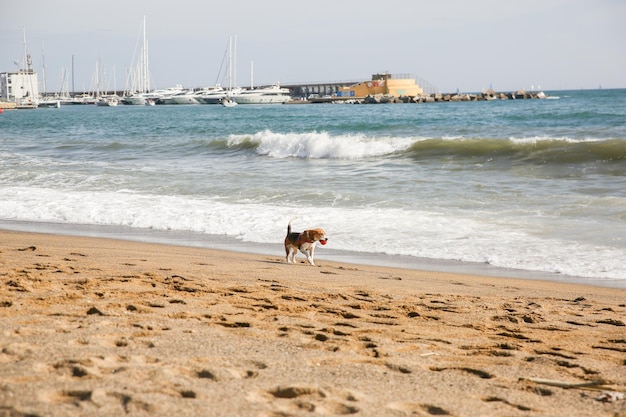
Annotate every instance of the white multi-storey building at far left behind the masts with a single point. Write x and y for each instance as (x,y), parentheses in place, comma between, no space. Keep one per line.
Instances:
(21,87)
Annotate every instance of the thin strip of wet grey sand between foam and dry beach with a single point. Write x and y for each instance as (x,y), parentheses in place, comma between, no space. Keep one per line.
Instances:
(201,240)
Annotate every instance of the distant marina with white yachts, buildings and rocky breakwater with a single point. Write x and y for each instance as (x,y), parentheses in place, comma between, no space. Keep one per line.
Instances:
(20,89)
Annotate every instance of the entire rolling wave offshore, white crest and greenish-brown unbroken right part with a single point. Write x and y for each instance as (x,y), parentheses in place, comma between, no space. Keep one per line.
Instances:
(322,145)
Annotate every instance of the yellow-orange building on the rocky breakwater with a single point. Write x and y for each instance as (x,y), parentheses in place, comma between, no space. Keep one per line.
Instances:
(385,84)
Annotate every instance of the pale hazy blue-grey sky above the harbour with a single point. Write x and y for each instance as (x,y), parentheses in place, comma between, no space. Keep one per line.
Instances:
(453,44)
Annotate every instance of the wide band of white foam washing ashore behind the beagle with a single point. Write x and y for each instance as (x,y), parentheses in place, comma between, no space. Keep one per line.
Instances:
(411,232)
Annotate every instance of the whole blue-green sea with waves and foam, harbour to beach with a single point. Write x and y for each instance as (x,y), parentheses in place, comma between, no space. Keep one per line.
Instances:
(535,186)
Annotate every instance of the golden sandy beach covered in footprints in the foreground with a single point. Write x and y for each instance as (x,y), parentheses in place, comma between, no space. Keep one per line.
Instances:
(100,327)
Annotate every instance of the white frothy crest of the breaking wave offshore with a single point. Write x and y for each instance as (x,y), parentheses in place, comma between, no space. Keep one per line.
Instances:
(321,145)
